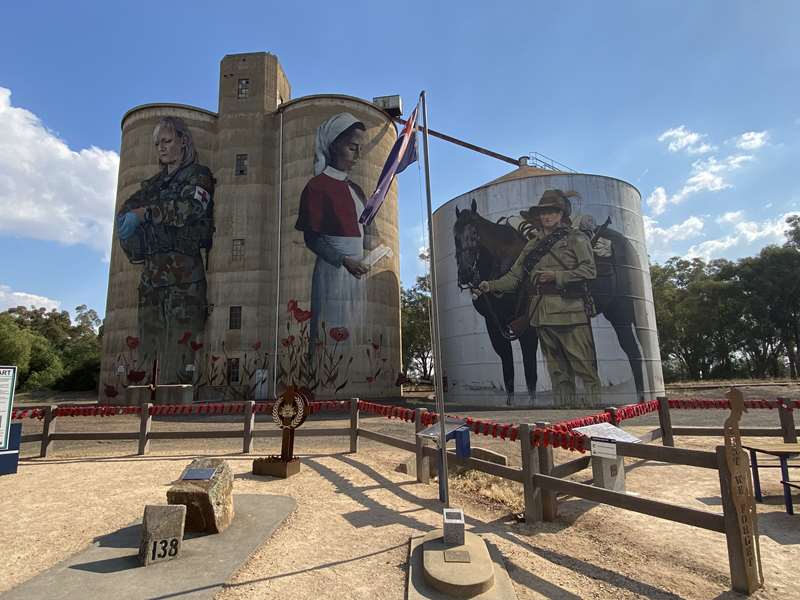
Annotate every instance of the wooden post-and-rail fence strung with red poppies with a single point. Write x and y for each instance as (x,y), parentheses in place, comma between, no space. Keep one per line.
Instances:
(541,478)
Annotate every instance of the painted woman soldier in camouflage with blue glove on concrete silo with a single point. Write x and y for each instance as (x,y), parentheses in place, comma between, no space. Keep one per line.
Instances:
(164,226)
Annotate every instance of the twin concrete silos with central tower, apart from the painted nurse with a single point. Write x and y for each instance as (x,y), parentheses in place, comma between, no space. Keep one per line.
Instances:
(211,258)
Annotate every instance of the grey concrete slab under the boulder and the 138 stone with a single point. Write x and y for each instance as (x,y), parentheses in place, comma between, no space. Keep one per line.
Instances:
(110,568)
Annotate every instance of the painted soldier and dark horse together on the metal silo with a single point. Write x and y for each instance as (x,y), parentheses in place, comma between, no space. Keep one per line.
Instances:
(543,277)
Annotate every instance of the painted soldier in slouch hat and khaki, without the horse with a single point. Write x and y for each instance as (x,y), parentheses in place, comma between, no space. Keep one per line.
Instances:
(554,269)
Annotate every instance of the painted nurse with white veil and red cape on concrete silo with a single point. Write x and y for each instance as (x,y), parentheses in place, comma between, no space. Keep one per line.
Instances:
(328,217)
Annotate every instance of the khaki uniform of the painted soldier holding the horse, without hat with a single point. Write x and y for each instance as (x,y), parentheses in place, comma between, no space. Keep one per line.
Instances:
(559,313)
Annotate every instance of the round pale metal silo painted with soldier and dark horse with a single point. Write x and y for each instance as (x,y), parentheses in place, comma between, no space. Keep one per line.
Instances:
(483,363)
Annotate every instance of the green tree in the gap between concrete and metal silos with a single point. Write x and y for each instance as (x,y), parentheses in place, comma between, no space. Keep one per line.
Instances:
(415,318)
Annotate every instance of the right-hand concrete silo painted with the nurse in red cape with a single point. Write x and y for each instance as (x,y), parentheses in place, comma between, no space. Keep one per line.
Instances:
(350,345)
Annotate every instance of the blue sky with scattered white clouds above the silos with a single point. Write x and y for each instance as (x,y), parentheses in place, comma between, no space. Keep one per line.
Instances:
(695,103)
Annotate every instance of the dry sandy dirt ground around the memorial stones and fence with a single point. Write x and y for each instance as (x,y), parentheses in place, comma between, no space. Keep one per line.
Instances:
(349,536)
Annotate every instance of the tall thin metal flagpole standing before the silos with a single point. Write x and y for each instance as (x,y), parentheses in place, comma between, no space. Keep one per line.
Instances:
(437,352)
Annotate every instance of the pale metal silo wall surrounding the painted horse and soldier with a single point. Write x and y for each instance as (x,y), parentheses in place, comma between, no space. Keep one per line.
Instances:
(625,336)
